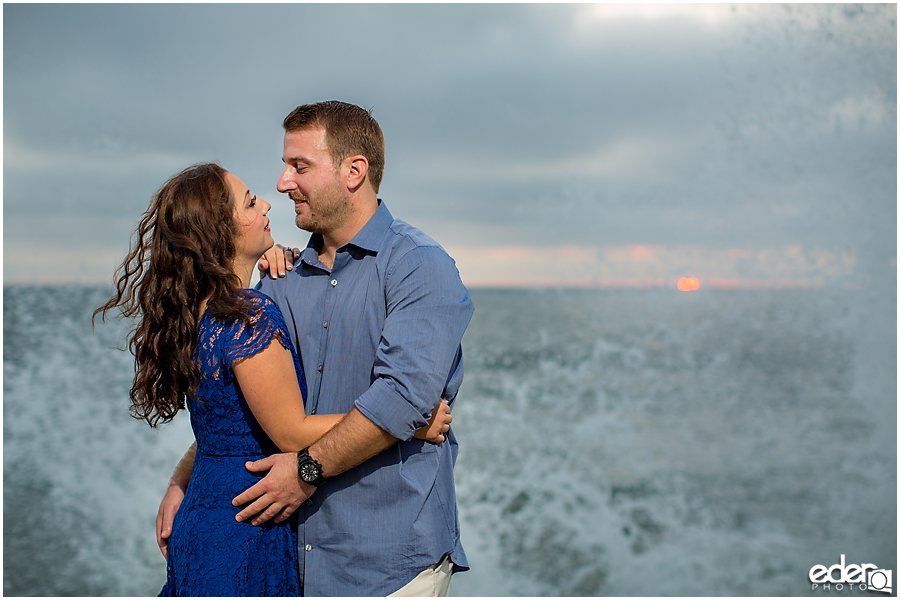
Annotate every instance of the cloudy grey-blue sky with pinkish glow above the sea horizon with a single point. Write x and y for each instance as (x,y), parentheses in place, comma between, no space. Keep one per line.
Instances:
(577,145)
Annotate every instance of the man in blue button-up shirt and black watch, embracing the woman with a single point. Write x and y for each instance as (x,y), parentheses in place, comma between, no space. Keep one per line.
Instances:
(377,311)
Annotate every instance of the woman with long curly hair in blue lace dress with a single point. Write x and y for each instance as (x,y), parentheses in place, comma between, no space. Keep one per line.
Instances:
(203,337)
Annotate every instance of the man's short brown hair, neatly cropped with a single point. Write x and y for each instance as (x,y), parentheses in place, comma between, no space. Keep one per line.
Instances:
(349,130)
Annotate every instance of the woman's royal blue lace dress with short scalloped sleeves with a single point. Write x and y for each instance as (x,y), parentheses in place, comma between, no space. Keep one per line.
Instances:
(211,554)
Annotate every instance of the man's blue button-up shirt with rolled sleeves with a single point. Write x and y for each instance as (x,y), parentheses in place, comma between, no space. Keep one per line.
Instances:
(381,331)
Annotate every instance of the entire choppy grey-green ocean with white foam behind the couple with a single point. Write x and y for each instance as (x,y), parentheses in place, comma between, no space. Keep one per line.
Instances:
(612,442)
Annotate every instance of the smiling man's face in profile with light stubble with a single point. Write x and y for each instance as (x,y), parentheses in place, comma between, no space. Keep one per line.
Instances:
(313,182)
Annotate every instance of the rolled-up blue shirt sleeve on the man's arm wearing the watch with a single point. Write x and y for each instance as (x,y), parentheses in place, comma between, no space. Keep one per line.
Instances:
(427,312)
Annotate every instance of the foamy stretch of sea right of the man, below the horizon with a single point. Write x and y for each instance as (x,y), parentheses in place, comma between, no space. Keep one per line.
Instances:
(649,443)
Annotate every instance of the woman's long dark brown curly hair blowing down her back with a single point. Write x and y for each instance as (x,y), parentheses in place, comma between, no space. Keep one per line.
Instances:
(182,253)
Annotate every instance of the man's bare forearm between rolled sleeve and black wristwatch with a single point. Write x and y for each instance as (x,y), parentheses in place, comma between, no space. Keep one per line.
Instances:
(353,440)
